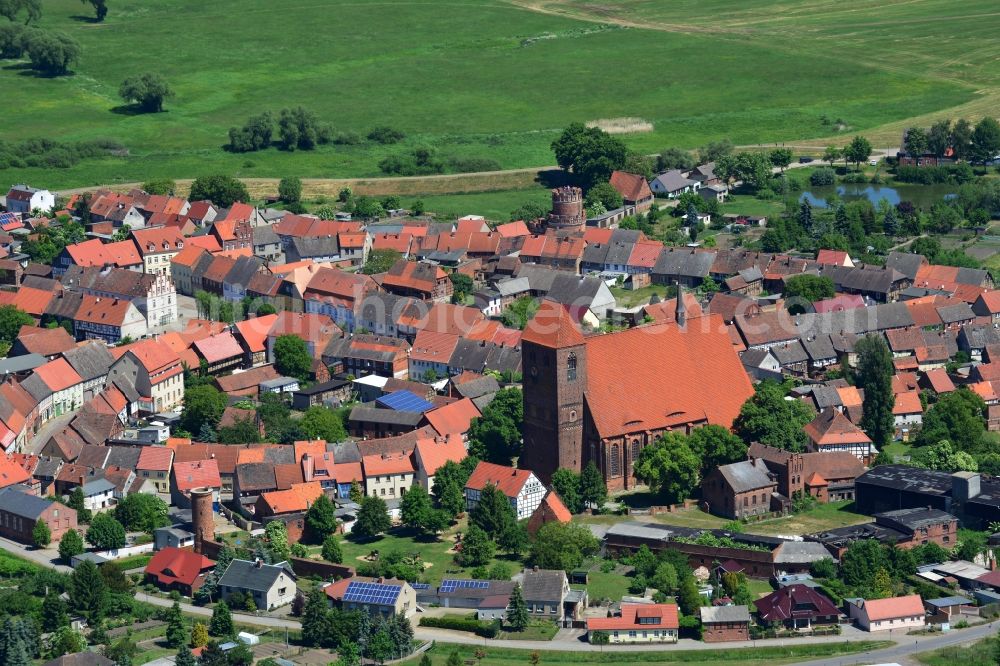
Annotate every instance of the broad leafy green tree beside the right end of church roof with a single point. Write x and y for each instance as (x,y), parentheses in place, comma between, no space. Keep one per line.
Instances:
(768,418)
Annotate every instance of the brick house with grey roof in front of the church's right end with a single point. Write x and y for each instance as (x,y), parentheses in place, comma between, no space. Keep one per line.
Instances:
(739,490)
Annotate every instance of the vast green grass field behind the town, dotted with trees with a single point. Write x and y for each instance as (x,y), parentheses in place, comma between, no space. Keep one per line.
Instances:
(494,78)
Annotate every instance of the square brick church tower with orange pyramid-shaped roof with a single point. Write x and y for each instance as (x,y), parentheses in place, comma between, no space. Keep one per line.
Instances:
(554,365)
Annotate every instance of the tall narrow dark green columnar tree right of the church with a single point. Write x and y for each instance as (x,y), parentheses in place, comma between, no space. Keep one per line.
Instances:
(874,377)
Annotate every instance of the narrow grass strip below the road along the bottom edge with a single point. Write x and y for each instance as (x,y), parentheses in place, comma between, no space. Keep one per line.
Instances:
(745,656)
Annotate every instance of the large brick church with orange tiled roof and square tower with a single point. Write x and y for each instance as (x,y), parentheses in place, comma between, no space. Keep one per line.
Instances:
(605,397)
